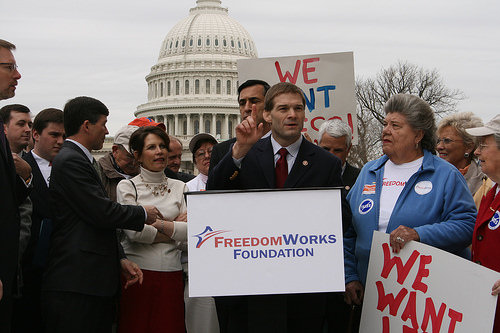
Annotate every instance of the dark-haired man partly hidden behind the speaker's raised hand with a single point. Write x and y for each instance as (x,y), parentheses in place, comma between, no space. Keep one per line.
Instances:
(251,94)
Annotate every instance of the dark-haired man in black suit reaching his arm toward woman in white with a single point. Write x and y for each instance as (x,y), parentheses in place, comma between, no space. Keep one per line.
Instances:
(82,273)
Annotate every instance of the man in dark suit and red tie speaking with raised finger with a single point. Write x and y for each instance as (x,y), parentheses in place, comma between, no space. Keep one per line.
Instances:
(282,160)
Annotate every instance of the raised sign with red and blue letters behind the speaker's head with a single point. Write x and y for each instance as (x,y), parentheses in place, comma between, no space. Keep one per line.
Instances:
(327,81)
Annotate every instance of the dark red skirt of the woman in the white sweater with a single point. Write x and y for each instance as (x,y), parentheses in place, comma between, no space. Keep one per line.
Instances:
(155,306)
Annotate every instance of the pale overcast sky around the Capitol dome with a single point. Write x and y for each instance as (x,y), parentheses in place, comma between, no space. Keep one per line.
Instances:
(105,48)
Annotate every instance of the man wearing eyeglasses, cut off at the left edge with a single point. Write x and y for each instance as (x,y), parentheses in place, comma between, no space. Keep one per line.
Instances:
(13,192)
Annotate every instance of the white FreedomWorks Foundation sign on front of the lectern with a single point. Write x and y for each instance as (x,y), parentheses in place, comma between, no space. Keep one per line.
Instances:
(265,242)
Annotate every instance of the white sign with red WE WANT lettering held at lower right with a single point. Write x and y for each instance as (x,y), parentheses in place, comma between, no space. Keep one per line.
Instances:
(424,289)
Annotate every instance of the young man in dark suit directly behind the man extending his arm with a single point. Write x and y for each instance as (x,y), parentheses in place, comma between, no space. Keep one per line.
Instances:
(48,135)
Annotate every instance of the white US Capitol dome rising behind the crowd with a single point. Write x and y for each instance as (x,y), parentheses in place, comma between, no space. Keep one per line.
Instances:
(193,86)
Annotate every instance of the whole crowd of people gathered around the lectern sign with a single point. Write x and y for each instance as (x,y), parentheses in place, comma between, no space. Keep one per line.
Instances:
(97,246)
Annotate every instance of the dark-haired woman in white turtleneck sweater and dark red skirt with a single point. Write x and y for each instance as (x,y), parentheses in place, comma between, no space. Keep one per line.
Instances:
(156,305)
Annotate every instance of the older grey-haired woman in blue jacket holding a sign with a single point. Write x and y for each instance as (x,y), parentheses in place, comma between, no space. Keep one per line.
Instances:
(409,193)
